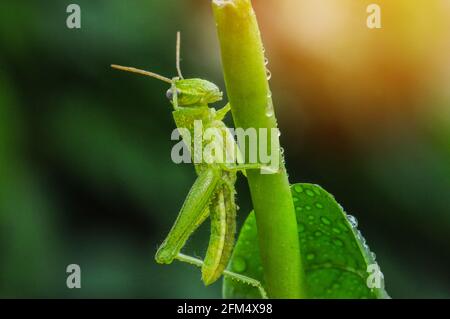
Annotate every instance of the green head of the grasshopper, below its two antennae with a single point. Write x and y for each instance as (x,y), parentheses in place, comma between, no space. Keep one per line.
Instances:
(192,92)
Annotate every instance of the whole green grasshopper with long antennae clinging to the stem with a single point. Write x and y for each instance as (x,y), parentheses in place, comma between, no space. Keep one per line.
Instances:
(213,193)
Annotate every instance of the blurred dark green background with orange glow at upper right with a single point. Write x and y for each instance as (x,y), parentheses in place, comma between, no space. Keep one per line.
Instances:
(85,169)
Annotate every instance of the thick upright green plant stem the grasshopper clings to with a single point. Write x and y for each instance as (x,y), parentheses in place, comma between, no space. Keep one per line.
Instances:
(249,93)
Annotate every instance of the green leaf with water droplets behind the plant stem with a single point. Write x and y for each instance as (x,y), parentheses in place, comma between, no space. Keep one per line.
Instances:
(334,253)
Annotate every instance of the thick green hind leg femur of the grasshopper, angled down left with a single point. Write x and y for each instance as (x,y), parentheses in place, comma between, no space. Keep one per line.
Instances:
(194,211)
